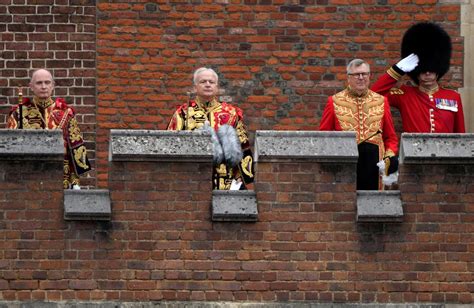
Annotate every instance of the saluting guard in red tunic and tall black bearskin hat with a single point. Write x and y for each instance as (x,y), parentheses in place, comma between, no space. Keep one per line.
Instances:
(425,108)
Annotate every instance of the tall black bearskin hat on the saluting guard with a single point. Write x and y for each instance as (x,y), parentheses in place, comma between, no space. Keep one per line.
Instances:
(431,44)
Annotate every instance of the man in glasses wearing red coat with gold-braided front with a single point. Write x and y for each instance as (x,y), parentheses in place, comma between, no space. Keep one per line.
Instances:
(359,109)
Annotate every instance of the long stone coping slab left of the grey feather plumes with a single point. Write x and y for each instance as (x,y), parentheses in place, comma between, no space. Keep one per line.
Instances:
(160,145)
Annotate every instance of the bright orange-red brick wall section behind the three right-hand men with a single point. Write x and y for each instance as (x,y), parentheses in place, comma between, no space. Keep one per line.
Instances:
(277,60)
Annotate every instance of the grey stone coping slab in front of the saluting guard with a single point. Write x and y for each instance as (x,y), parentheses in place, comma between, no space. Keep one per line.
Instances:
(437,148)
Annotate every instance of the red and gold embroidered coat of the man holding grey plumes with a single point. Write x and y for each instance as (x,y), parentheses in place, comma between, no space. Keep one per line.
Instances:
(194,114)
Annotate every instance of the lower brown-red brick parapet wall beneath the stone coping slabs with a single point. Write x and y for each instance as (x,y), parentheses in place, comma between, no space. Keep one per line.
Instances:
(306,246)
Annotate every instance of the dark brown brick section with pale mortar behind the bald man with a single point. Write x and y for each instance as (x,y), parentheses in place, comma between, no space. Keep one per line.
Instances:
(58,35)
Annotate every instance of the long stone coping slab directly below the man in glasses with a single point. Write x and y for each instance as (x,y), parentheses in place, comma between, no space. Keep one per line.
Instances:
(318,146)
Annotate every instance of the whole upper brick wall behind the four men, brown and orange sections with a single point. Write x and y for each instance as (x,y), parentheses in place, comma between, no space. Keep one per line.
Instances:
(277,60)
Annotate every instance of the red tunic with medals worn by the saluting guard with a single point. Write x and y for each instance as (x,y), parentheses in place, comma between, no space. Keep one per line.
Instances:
(438,112)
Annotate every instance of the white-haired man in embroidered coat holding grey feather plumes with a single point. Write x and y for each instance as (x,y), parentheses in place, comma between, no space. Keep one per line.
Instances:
(233,166)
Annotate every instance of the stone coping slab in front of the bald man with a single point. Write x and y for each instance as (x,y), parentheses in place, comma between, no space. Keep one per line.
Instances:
(31,144)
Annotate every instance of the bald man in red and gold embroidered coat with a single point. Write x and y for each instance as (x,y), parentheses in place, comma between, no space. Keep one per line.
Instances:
(42,112)
